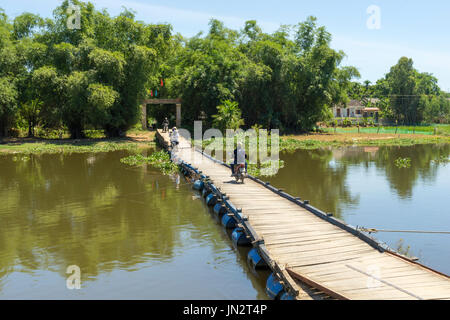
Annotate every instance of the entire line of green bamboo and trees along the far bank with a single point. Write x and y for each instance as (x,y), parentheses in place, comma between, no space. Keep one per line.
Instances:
(95,77)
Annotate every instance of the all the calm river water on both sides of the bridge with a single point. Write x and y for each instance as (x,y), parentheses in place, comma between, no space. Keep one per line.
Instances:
(136,234)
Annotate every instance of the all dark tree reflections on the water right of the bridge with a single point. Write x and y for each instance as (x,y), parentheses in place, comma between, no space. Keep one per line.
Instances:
(320,175)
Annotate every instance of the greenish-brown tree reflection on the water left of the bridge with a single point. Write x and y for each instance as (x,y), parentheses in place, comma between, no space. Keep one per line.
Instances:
(89,210)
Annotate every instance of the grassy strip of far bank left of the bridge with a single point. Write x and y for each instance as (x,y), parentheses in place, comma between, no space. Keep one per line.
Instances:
(133,141)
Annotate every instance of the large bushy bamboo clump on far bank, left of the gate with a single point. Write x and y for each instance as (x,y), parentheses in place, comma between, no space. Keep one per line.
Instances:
(110,60)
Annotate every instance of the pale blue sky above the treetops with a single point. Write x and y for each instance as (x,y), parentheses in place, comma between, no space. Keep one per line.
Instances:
(416,29)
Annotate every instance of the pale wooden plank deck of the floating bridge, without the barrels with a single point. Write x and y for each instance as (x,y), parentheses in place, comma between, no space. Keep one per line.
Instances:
(317,252)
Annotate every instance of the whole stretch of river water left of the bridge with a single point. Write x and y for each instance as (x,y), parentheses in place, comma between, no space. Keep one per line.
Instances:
(134,233)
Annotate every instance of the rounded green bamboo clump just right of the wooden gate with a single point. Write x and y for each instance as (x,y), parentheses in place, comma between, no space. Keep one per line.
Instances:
(208,71)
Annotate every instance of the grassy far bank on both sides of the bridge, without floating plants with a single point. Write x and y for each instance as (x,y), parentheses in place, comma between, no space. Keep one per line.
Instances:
(137,139)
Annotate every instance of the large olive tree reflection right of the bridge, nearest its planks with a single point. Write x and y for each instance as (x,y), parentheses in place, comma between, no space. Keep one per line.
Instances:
(313,175)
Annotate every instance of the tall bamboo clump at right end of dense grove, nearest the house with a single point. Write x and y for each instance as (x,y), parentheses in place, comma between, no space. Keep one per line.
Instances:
(310,74)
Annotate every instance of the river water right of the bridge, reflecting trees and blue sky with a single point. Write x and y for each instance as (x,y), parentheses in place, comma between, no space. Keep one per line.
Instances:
(364,187)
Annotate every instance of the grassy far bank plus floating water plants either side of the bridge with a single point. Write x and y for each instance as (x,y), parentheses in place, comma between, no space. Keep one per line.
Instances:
(137,140)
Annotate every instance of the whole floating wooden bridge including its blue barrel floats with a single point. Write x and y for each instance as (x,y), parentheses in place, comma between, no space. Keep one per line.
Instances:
(311,254)
